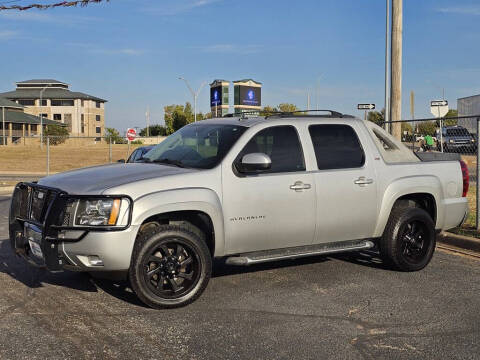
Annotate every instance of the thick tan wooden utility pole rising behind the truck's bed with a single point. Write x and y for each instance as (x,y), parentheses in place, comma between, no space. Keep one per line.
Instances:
(396,68)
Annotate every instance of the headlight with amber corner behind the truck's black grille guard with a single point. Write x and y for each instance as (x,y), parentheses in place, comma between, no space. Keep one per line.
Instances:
(97,212)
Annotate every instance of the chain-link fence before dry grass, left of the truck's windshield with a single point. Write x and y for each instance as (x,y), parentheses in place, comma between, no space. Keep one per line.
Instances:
(32,157)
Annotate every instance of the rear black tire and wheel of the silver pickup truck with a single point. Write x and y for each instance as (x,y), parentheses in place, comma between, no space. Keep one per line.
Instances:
(409,239)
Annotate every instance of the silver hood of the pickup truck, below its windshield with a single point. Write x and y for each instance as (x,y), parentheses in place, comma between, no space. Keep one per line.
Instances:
(96,179)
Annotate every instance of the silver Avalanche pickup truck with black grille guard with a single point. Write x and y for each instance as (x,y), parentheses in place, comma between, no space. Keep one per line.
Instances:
(248,190)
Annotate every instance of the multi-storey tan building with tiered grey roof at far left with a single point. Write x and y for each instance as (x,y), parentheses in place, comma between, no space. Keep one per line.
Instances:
(83,114)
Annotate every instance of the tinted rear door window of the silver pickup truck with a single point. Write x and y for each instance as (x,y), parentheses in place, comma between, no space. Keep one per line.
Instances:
(336,147)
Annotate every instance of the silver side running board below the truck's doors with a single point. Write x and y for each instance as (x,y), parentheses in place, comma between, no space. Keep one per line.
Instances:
(258,257)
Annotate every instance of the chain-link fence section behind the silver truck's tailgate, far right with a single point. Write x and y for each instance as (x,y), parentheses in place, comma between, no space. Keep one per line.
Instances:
(457,135)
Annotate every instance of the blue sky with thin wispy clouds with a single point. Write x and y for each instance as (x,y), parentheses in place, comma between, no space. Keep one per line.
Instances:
(131,52)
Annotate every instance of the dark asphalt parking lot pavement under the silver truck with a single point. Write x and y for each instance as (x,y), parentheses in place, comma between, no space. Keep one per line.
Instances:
(336,307)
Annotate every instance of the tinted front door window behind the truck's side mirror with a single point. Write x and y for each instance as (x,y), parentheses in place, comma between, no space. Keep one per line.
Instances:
(281,143)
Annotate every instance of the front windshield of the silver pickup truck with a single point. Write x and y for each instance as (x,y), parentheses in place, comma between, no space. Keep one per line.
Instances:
(196,146)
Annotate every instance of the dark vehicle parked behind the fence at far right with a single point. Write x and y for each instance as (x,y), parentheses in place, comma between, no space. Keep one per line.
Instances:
(456,139)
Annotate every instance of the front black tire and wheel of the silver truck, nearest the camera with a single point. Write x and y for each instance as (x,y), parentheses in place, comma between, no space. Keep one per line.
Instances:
(171,265)
